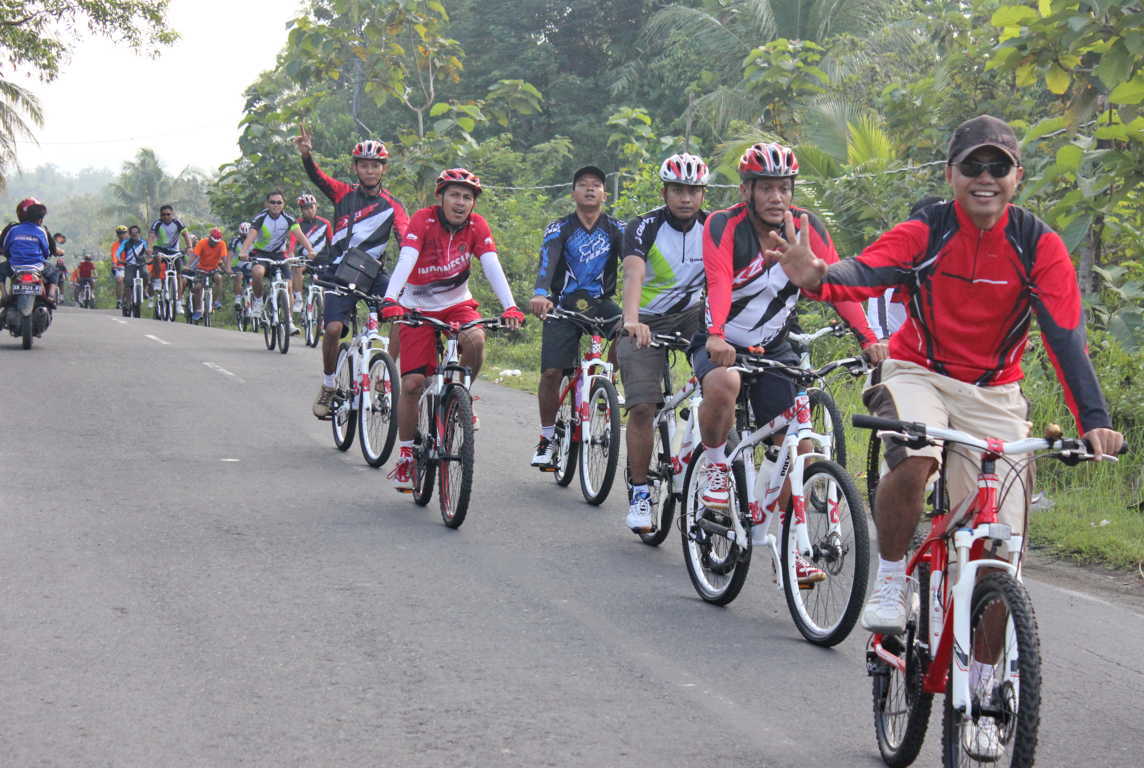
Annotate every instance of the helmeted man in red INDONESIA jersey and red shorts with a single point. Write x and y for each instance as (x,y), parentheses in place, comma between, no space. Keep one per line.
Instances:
(432,276)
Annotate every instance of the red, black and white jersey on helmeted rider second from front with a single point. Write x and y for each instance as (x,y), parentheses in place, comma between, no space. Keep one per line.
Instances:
(750,300)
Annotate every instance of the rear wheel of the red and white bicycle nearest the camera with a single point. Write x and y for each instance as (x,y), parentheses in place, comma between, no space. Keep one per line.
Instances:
(900,695)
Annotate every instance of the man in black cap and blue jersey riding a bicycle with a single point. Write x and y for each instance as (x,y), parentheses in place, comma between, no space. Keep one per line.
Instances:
(579,260)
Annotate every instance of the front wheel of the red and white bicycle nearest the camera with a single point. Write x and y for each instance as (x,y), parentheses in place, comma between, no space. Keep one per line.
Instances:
(1019,696)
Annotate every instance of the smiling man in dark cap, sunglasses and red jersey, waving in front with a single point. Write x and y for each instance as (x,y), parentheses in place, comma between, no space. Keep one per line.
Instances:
(973,273)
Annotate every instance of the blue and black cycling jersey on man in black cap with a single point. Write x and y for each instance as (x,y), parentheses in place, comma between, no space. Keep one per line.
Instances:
(574,258)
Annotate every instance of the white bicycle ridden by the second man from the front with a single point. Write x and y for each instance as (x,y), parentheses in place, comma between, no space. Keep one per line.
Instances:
(823,531)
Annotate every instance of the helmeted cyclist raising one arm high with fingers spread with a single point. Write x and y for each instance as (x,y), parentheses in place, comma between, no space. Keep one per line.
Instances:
(366,216)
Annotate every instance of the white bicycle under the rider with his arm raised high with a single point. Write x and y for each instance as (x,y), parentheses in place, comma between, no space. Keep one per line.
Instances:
(368,389)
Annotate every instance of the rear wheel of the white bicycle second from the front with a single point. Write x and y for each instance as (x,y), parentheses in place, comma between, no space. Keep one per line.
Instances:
(720,579)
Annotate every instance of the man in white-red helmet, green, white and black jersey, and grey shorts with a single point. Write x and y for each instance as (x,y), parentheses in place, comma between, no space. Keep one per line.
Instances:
(663,294)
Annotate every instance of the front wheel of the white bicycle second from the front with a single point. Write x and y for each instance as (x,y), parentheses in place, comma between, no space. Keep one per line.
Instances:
(827,605)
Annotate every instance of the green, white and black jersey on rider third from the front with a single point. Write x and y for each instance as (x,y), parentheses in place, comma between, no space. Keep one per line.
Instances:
(674,252)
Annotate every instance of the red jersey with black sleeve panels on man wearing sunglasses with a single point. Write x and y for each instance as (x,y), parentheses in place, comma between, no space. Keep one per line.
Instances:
(971,296)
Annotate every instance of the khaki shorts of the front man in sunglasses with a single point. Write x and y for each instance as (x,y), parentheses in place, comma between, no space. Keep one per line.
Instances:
(909,392)
